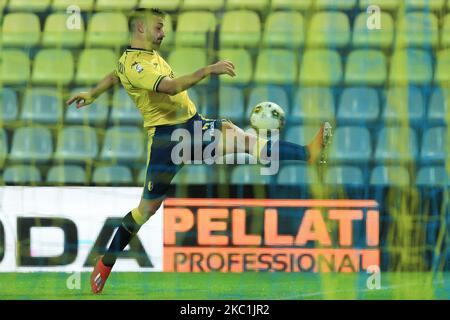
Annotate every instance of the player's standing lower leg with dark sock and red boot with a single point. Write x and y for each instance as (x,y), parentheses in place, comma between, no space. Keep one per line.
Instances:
(129,227)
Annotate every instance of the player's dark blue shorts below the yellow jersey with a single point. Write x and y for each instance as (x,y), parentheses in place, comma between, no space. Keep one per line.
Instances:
(161,168)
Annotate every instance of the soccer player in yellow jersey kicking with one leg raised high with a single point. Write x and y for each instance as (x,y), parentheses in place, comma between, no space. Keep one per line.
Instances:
(164,103)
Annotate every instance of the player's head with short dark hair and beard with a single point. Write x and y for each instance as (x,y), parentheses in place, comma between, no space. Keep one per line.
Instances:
(148,25)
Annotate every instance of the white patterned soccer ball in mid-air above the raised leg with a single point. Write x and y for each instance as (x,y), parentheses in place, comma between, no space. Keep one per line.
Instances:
(267,115)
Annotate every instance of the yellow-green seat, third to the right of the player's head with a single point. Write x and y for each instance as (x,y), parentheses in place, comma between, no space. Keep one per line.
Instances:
(284,29)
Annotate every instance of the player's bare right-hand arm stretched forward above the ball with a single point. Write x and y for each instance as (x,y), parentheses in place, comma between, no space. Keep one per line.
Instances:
(177,85)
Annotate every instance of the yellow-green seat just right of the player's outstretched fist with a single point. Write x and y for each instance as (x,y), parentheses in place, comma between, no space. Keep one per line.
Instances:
(276,66)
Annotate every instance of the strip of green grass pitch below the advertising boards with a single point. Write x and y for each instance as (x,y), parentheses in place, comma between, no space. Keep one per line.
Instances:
(267,286)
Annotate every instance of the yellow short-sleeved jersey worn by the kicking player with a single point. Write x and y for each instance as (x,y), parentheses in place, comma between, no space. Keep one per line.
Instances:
(140,72)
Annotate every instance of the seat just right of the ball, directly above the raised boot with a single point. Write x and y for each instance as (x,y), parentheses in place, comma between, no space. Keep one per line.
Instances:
(313,104)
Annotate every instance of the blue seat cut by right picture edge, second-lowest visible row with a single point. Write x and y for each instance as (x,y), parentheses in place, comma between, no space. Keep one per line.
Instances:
(435,145)
